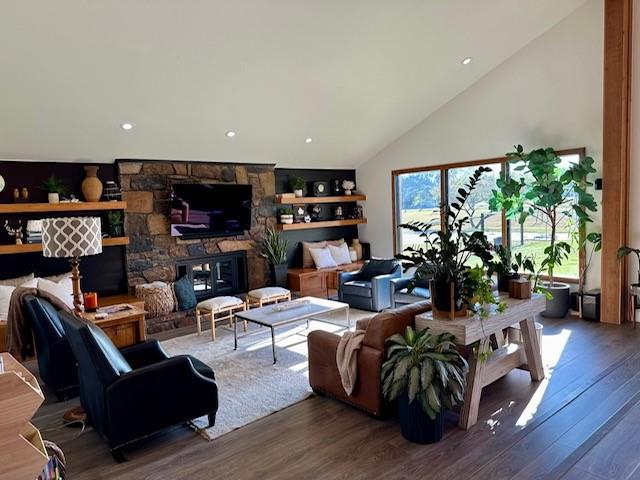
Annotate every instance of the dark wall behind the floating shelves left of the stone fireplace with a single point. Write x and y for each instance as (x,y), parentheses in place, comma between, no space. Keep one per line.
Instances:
(103,273)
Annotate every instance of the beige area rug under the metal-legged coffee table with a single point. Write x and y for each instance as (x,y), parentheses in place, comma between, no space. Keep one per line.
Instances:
(249,385)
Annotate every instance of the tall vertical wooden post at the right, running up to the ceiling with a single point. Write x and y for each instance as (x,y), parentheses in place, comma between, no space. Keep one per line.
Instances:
(616,148)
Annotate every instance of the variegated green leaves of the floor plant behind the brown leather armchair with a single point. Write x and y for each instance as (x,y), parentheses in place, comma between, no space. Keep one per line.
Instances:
(427,367)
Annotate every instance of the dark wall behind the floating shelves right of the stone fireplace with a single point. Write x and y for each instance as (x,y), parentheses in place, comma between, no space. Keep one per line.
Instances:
(283,175)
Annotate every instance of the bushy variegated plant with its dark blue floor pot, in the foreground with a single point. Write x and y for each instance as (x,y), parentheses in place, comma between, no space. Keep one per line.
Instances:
(426,374)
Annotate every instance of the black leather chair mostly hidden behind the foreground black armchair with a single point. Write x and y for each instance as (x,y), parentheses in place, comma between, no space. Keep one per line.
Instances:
(56,363)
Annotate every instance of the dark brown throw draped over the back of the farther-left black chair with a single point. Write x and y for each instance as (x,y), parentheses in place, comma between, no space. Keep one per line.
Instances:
(19,333)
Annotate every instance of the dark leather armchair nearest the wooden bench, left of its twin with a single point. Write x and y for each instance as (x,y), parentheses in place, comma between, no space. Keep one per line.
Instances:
(369,287)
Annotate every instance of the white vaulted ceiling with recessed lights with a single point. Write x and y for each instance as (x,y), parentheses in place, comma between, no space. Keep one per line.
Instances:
(352,74)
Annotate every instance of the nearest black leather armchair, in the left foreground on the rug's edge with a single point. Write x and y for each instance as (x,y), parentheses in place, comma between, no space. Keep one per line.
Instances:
(131,393)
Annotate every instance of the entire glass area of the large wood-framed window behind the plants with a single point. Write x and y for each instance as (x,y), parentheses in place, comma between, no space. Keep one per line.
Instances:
(418,193)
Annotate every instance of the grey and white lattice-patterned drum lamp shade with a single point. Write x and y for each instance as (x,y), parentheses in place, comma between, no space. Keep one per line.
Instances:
(71,237)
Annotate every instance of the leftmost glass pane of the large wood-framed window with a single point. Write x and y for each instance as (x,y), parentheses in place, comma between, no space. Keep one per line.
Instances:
(418,199)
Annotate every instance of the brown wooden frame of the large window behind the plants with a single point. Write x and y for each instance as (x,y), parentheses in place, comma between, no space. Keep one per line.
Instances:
(444,194)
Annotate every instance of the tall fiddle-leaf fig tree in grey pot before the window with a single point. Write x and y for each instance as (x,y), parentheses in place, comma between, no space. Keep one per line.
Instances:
(551,194)
